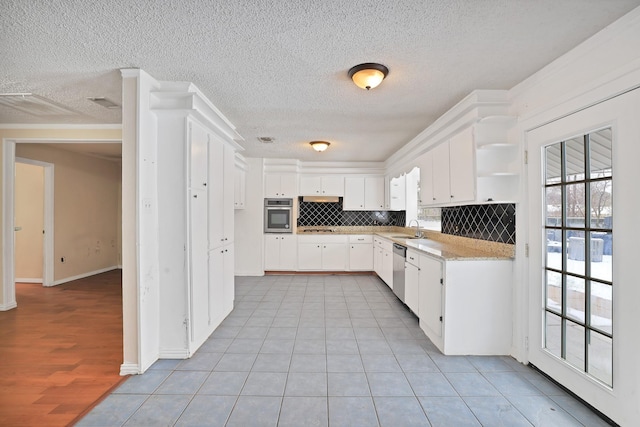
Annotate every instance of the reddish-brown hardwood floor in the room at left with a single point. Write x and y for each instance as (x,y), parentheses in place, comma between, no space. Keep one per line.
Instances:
(60,350)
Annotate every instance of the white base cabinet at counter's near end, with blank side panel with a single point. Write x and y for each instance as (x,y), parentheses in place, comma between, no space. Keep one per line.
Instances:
(474,302)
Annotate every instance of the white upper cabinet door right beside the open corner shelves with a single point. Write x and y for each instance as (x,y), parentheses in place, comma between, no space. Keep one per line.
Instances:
(462,171)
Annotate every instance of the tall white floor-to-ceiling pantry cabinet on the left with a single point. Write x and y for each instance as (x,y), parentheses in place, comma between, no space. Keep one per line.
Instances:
(196,168)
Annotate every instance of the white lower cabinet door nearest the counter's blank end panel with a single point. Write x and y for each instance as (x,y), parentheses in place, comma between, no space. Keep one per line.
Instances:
(430,295)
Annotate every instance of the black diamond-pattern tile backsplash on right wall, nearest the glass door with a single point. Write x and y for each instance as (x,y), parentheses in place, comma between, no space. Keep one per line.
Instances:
(496,223)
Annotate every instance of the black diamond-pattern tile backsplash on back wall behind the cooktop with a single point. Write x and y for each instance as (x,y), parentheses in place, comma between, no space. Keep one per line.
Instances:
(331,214)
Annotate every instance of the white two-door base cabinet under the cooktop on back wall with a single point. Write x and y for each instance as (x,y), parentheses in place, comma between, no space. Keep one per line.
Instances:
(322,253)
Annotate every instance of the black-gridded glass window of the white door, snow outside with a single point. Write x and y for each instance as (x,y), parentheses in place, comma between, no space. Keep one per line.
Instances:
(578,266)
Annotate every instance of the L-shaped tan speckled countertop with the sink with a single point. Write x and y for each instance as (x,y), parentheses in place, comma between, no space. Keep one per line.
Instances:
(443,246)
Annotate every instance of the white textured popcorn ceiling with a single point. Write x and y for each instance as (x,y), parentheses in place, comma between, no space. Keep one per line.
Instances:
(279,68)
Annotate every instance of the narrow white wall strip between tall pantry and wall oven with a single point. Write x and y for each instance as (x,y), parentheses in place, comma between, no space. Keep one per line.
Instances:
(249,244)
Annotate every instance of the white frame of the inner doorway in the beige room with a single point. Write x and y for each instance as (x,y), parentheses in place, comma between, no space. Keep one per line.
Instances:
(48,236)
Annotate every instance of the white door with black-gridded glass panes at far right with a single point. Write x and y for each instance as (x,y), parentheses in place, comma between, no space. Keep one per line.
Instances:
(583,236)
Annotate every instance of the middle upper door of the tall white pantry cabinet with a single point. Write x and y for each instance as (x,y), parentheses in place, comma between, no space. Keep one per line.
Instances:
(216,193)
